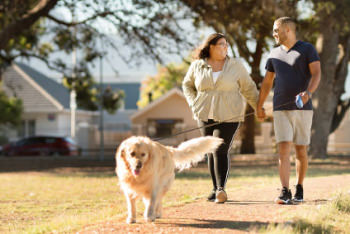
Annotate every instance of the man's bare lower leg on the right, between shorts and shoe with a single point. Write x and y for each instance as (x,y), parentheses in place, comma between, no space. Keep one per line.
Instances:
(301,163)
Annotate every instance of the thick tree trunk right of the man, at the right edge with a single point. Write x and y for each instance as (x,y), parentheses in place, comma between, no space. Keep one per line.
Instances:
(334,48)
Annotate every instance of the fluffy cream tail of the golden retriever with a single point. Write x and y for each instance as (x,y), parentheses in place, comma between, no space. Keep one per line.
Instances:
(192,151)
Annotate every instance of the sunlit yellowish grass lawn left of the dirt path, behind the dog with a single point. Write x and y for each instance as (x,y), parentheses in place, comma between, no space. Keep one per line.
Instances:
(61,201)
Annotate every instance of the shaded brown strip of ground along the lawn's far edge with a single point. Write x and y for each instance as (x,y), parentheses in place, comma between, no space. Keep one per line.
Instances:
(76,167)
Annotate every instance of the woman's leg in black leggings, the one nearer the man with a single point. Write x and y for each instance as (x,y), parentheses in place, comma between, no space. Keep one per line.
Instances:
(221,157)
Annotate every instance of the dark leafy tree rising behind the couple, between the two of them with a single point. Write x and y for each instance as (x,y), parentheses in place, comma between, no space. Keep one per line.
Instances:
(248,27)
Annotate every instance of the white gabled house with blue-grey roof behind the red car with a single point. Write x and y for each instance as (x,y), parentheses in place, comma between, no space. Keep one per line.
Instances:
(46,103)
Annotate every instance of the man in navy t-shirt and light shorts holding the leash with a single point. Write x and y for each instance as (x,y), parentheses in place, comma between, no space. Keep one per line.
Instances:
(295,67)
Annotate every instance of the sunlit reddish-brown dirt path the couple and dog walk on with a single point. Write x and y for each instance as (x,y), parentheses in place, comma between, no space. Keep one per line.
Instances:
(246,211)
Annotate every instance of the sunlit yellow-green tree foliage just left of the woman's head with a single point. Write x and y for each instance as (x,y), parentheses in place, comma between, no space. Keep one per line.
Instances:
(168,77)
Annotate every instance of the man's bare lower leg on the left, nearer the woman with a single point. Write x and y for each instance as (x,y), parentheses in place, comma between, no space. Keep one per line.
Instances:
(284,149)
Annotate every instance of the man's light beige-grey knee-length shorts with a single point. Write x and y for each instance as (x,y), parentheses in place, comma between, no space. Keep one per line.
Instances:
(293,126)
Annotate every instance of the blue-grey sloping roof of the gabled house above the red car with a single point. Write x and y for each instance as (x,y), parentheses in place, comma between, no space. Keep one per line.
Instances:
(56,90)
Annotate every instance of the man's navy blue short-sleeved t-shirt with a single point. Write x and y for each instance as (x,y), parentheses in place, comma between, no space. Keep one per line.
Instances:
(292,74)
